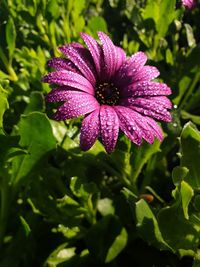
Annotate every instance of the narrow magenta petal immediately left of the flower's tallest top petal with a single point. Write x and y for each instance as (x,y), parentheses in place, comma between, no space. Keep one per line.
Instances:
(95,51)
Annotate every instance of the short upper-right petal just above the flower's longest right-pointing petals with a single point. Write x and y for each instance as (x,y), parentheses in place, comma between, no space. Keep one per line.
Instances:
(147,73)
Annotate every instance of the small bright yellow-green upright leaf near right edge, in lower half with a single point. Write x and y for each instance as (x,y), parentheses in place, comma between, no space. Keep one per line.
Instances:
(186,196)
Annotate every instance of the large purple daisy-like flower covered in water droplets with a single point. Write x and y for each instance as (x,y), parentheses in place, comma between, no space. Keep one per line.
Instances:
(111,90)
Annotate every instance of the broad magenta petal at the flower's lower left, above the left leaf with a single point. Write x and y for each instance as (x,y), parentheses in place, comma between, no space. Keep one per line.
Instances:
(78,104)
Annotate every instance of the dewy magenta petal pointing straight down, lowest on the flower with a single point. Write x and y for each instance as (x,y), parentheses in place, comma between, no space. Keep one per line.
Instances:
(109,127)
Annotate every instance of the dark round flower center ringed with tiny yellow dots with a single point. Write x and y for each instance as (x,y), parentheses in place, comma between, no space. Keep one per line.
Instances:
(107,94)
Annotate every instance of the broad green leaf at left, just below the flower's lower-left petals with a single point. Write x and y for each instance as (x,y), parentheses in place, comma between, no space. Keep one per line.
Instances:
(37,137)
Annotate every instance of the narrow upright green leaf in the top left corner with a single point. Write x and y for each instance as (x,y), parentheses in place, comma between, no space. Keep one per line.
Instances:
(10,36)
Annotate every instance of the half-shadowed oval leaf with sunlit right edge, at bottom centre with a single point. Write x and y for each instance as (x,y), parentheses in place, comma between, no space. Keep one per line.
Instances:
(106,239)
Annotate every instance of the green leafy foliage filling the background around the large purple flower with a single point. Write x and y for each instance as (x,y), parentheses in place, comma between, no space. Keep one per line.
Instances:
(139,206)
